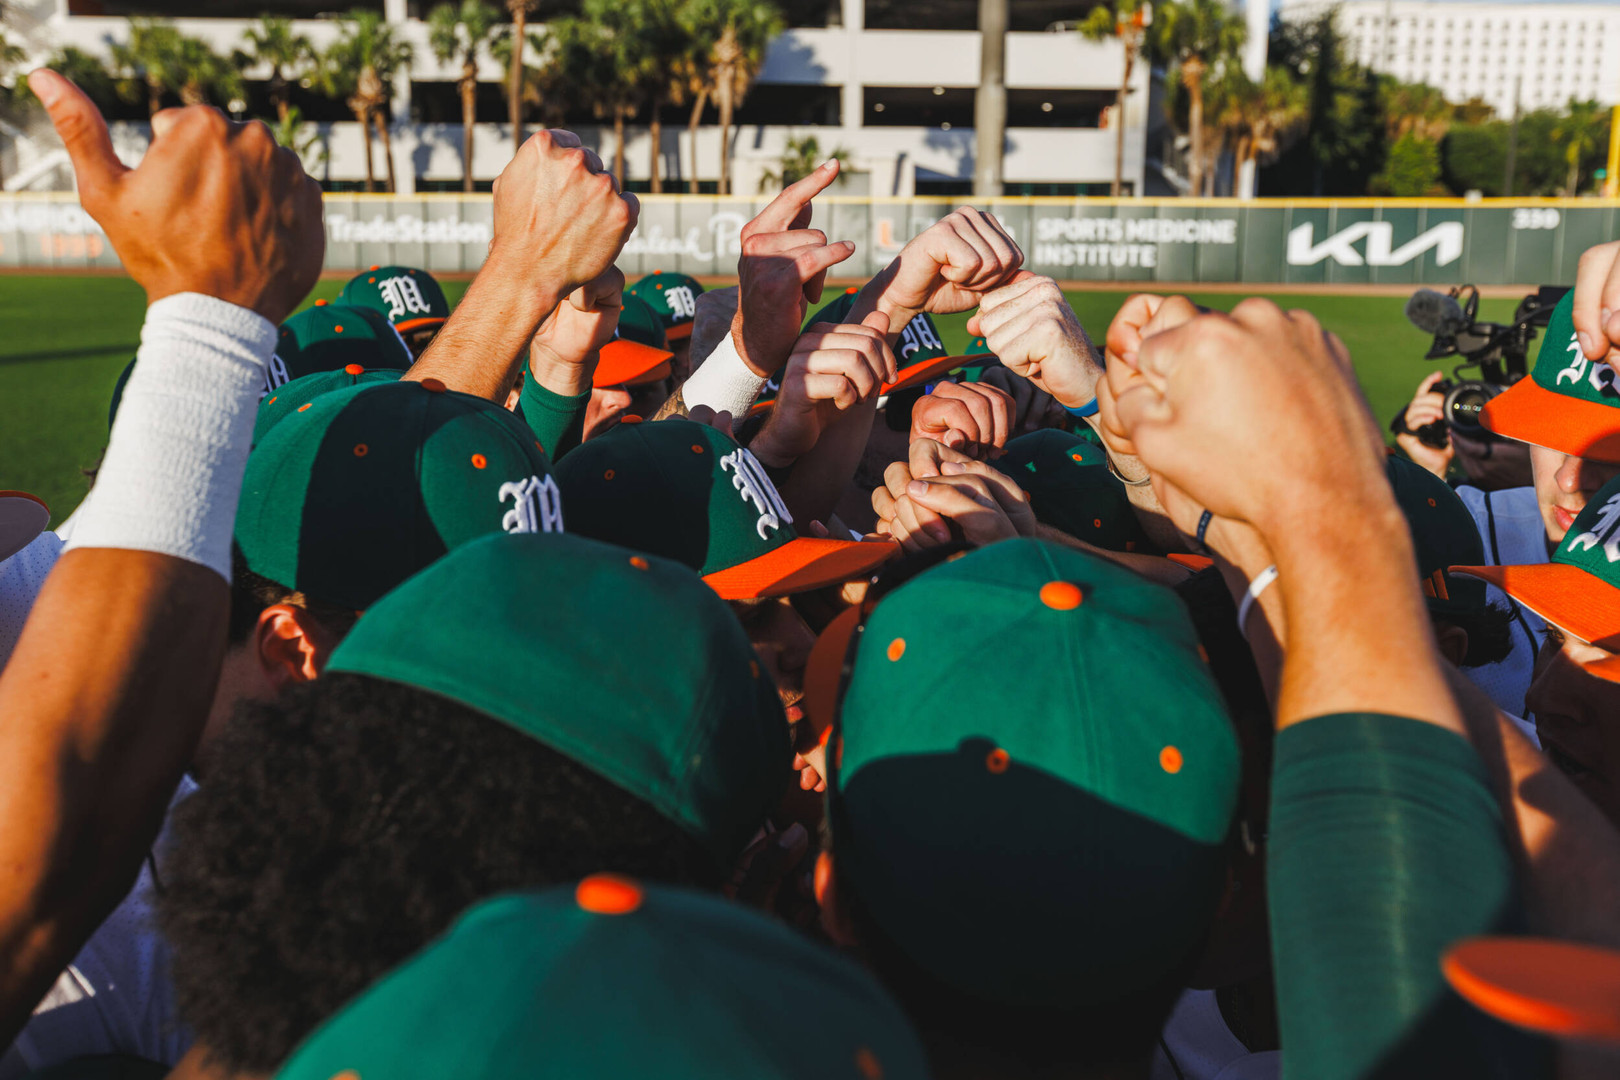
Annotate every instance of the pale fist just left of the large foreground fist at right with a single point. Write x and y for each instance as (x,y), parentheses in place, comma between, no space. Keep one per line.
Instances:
(1033,330)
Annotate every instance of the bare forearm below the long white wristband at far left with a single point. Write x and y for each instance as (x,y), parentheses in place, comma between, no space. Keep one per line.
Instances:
(96,742)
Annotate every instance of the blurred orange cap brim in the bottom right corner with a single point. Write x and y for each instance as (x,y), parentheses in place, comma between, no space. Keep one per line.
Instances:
(1554,987)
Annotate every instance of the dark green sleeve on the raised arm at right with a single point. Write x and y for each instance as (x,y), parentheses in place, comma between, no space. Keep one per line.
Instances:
(1386,848)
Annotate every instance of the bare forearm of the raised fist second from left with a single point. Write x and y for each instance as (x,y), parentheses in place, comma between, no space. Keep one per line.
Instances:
(488,334)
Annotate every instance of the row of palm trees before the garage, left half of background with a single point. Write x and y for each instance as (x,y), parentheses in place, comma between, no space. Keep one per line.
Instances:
(613,61)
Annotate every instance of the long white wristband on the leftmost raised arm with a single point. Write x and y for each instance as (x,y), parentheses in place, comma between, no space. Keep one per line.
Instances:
(174,464)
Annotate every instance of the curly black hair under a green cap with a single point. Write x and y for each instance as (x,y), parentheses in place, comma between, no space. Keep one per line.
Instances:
(346,825)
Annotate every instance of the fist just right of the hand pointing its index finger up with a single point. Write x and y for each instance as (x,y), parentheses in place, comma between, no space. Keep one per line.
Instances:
(947,268)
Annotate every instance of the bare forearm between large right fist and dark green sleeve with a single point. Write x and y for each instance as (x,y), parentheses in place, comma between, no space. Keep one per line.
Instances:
(1358,637)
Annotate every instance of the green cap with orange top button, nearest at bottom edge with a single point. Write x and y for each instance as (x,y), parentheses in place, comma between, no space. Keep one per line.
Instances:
(616,980)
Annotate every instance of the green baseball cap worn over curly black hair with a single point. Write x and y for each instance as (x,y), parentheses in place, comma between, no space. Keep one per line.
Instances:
(623,663)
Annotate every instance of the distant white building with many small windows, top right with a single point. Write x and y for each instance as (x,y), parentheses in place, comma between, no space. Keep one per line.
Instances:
(1546,54)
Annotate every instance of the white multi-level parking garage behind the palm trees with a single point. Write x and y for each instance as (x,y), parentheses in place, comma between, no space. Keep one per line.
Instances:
(889,82)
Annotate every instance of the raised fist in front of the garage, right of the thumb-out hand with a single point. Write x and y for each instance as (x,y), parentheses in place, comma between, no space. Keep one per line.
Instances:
(560,216)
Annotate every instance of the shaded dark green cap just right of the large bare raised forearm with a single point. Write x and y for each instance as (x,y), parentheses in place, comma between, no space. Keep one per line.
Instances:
(1444,535)
